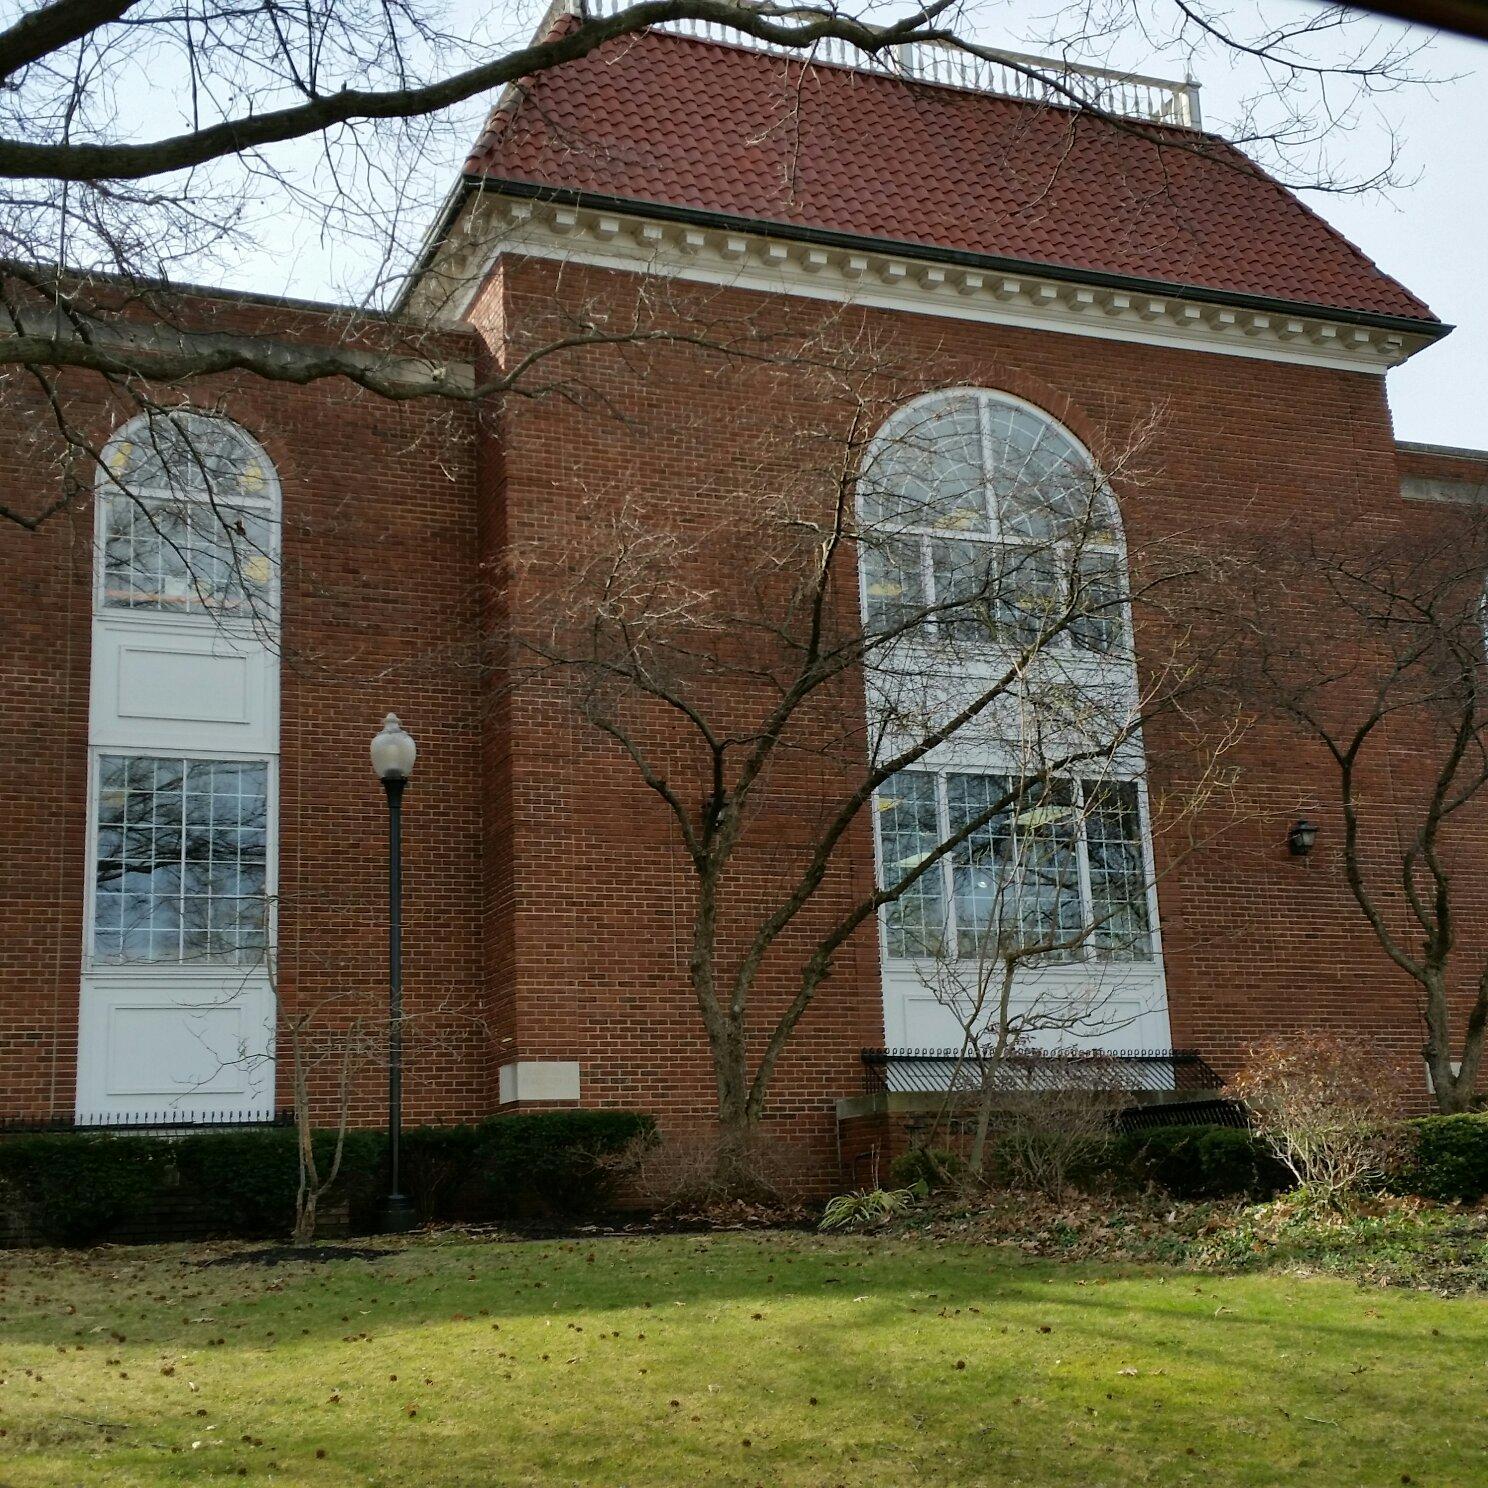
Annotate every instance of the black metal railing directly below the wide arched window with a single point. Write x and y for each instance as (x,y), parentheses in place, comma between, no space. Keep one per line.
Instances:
(937,1072)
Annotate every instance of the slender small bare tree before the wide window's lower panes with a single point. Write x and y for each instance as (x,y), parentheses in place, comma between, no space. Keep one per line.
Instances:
(1045,956)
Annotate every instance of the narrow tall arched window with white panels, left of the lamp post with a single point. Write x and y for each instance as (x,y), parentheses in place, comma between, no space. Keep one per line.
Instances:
(176,1008)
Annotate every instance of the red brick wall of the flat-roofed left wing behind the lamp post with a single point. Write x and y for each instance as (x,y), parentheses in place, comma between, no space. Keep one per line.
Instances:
(382,612)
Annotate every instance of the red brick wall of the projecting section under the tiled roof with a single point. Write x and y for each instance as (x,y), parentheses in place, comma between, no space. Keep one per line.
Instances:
(1245,453)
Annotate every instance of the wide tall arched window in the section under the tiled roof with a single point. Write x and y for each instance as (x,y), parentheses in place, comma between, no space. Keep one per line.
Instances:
(989,533)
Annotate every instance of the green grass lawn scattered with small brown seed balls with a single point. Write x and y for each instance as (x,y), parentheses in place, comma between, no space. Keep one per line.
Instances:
(734,1359)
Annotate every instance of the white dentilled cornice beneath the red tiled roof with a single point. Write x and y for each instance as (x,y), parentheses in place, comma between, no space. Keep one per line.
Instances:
(496,225)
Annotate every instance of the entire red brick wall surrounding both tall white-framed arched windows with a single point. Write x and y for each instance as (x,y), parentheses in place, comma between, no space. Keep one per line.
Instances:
(548,901)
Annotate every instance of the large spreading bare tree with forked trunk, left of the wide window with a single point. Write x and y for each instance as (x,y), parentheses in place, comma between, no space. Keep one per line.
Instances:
(718,642)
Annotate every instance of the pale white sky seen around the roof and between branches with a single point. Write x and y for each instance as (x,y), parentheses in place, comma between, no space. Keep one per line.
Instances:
(1431,233)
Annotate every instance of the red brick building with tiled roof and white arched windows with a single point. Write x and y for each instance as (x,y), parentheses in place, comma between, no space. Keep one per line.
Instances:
(1041,280)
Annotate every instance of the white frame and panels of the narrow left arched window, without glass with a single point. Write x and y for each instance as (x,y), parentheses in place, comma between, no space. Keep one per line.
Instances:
(136,713)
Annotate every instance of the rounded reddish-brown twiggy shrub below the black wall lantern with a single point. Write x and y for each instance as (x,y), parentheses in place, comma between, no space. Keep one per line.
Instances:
(1324,1103)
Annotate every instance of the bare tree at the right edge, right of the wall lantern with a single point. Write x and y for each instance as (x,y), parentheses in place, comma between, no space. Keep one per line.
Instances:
(1377,652)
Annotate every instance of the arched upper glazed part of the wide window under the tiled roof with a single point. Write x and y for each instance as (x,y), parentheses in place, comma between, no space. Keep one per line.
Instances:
(981,520)
